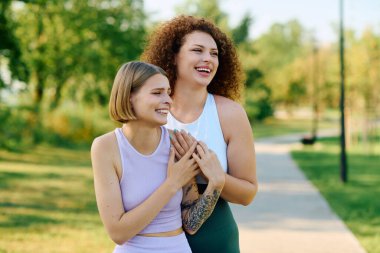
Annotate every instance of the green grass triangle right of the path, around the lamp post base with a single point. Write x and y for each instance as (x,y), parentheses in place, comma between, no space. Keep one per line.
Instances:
(356,202)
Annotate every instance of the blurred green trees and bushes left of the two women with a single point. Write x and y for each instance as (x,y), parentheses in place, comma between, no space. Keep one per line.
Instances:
(61,58)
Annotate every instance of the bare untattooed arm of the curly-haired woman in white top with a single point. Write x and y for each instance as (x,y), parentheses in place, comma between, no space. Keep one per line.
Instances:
(241,182)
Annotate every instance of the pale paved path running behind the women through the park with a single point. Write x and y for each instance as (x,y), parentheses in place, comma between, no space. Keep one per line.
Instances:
(288,214)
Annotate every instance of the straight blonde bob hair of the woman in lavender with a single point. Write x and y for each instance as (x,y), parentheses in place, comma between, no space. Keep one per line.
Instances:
(129,78)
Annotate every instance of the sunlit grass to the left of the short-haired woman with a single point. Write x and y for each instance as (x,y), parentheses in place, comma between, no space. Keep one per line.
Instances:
(47,202)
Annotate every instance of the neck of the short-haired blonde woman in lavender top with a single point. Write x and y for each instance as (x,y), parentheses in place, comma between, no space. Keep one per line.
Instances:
(142,137)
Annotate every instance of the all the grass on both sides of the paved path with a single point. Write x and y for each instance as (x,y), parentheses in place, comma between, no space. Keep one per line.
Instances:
(47,201)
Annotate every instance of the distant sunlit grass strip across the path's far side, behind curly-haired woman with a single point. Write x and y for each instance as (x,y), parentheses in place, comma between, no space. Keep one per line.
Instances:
(276,127)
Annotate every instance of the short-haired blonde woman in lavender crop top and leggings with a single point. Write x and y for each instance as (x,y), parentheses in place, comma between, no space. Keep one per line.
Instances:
(138,184)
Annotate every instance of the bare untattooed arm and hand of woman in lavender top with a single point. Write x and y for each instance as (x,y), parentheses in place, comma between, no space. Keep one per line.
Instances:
(121,225)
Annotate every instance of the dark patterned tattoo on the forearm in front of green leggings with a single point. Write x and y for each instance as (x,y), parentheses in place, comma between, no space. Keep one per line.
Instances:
(197,211)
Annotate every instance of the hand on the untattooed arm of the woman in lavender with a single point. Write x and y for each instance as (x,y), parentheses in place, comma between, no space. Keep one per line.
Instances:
(179,173)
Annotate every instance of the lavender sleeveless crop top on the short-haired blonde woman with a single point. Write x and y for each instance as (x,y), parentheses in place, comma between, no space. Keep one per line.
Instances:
(142,175)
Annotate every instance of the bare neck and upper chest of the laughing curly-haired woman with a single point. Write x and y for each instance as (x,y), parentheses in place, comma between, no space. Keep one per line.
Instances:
(188,102)
